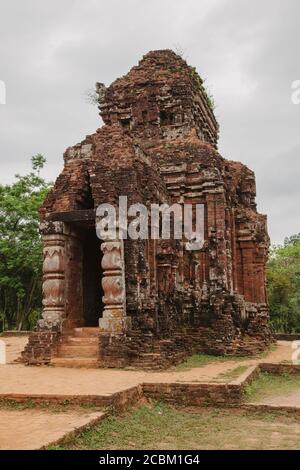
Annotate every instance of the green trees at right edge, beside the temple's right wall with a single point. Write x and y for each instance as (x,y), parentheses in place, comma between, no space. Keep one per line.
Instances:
(283,274)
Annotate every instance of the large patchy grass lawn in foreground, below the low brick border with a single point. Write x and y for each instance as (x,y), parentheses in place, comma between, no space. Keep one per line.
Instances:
(162,427)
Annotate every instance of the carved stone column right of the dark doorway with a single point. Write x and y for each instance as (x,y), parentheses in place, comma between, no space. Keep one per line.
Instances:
(114,320)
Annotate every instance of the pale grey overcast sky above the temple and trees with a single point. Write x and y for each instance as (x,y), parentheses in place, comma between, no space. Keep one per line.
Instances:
(51,52)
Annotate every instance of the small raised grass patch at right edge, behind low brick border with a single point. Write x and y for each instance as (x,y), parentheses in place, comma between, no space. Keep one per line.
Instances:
(270,385)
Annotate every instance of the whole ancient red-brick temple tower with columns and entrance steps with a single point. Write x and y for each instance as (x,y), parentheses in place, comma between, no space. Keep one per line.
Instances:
(151,302)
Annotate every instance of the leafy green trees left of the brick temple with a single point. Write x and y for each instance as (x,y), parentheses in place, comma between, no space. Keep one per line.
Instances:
(20,247)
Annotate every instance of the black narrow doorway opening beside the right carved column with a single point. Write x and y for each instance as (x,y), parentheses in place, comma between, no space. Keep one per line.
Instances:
(91,279)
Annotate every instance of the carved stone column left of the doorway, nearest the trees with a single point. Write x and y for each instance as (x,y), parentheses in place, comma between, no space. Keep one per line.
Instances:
(54,274)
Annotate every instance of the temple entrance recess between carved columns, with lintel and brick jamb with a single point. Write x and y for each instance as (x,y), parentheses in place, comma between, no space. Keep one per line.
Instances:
(82,279)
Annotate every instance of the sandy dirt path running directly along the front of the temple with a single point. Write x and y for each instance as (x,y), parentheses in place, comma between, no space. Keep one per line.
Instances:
(17,378)
